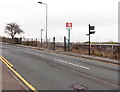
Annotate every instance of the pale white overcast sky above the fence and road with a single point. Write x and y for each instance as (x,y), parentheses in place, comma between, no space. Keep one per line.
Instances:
(103,14)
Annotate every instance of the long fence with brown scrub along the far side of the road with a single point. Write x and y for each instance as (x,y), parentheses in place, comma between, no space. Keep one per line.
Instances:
(103,50)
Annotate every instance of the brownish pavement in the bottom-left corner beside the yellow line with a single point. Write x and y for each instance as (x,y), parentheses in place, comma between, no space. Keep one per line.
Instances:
(9,82)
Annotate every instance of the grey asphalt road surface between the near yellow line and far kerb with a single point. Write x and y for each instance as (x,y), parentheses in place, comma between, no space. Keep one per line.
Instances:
(51,71)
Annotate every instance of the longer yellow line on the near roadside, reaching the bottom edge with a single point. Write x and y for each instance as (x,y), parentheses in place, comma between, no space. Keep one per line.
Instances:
(18,75)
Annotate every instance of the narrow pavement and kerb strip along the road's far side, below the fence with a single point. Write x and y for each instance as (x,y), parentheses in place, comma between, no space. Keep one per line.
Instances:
(100,59)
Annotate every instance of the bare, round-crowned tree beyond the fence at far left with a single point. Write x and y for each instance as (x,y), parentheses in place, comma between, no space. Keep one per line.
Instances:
(12,29)
